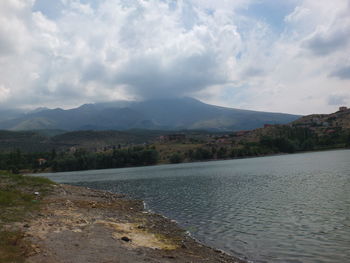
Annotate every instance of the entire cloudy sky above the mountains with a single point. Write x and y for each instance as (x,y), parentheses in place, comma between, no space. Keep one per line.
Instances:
(289,56)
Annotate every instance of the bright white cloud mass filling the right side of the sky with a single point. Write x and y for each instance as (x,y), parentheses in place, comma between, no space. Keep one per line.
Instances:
(297,77)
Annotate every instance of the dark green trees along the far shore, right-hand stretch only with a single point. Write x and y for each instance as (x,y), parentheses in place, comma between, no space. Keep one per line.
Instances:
(284,139)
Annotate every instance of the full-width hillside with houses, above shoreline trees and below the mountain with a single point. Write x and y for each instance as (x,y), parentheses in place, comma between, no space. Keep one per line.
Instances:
(315,127)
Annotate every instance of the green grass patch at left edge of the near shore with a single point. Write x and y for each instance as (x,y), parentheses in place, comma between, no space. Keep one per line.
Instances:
(17,202)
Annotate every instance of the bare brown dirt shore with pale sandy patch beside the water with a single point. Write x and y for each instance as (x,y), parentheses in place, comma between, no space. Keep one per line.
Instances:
(80,225)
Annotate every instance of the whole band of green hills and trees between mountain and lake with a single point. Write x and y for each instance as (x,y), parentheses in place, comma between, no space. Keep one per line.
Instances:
(84,150)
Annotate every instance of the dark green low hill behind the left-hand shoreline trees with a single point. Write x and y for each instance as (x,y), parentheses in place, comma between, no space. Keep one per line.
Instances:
(46,140)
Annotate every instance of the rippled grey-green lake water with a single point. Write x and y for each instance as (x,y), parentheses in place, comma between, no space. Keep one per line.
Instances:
(290,208)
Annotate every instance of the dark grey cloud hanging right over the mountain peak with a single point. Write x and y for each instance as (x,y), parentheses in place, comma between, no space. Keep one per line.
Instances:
(150,77)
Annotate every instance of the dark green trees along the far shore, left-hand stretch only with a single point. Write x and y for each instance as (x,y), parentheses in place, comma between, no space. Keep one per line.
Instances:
(78,160)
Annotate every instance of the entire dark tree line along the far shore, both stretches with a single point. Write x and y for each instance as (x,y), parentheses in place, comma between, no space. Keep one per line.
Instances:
(284,139)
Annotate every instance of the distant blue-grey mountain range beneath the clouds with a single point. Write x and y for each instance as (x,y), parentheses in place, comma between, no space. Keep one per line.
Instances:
(160,114)
